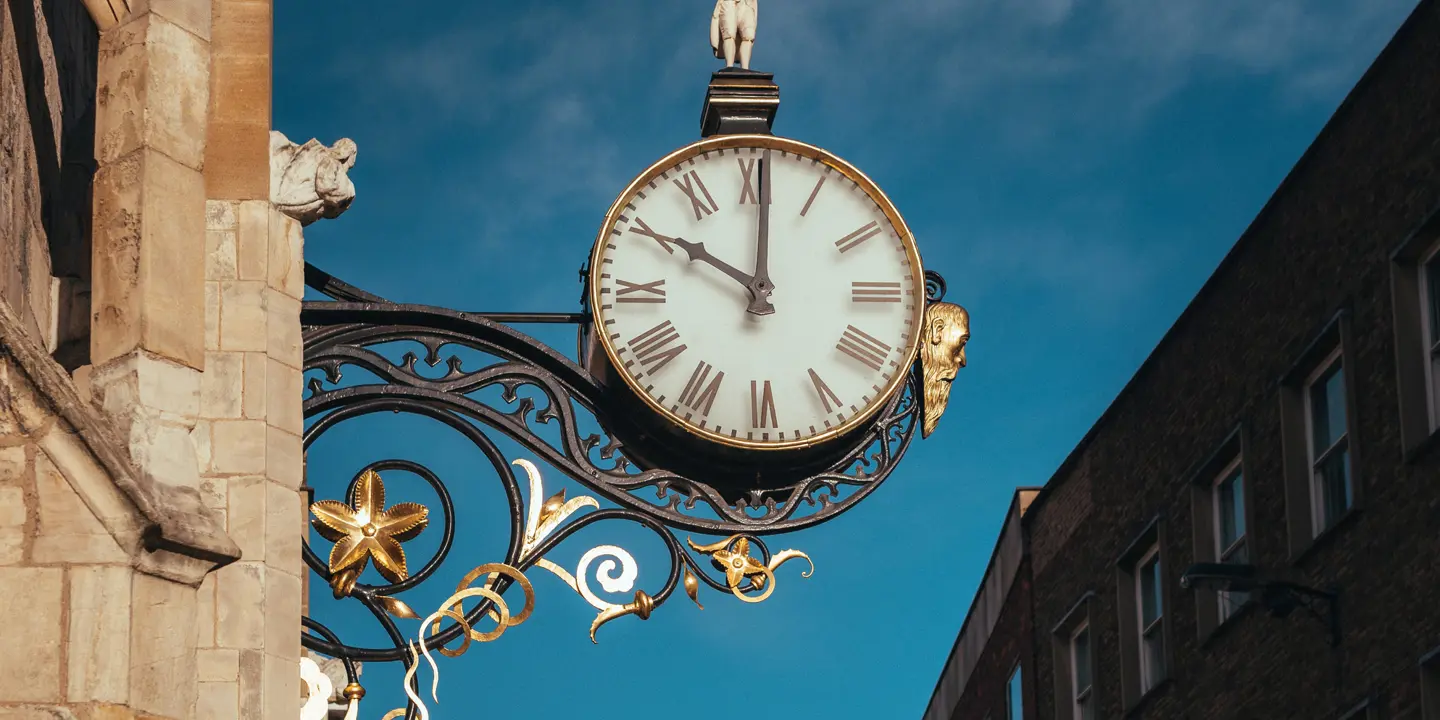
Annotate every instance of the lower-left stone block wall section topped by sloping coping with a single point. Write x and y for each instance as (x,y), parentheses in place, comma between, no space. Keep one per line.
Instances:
(99,567)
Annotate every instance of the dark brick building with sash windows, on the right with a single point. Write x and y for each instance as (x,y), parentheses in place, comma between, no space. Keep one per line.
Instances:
(1287,424)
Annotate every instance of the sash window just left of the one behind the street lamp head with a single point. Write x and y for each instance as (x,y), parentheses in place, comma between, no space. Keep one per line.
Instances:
(1143,601)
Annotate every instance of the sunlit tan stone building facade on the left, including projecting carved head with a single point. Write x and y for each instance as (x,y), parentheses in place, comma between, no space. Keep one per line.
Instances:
(150,362)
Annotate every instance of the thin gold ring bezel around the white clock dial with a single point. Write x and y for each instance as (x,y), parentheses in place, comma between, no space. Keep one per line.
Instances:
(672,162)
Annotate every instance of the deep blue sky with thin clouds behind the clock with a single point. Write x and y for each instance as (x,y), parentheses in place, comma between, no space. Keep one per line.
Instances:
(1074,168)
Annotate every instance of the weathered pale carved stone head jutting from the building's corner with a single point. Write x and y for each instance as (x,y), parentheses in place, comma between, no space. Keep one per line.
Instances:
(309,182)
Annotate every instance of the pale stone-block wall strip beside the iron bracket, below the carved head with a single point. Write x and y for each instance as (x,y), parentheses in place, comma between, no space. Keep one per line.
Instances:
(251,460)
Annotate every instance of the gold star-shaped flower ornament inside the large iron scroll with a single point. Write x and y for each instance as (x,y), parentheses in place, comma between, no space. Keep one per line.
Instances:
(366,531)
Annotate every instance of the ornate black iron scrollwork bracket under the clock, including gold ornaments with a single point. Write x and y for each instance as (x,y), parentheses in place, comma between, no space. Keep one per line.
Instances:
(541,391)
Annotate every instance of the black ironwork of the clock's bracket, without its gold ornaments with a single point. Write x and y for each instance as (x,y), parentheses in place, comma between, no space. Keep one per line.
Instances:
(351,332)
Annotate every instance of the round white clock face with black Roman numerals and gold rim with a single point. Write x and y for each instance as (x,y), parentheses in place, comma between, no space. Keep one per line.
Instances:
(758,292)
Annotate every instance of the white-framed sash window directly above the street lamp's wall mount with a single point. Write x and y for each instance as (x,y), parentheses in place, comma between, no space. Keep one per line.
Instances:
(1331,496)
